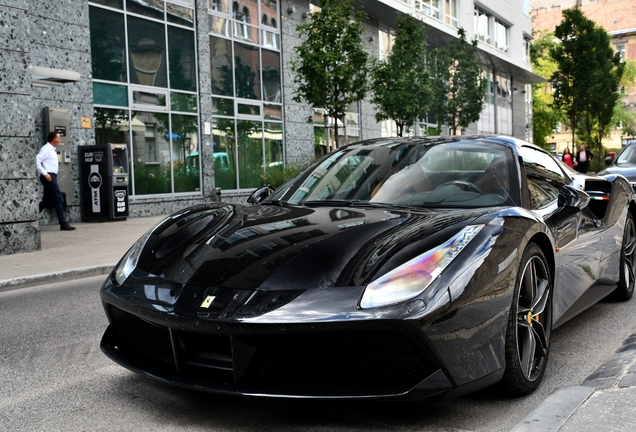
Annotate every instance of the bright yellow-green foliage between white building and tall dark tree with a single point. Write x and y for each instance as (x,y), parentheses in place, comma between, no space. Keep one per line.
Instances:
(545,117)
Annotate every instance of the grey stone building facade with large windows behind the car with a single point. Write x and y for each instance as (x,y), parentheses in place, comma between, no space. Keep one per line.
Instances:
(201,92)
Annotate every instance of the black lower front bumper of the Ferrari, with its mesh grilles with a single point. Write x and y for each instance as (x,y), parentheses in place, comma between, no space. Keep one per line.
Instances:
(327,360)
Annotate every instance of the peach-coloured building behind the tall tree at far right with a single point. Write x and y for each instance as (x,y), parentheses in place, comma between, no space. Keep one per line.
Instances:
(618,17)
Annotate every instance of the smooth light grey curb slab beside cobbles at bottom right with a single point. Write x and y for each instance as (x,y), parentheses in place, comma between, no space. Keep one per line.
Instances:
(555,410)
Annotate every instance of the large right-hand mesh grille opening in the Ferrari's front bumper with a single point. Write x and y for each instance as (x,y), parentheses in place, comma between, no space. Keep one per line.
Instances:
(355,361)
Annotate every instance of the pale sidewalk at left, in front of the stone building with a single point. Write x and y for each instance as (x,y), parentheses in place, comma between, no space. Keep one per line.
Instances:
(92,249)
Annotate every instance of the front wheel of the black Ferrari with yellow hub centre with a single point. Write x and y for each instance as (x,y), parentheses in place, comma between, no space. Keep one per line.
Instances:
(529,324)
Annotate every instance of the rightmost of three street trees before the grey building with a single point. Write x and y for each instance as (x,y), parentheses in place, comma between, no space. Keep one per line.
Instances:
(459,98)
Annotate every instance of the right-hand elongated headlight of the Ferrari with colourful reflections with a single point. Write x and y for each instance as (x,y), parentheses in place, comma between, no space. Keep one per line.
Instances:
(414,276)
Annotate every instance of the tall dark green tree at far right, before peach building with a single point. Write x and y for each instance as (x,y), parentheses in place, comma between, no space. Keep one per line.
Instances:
(587,77)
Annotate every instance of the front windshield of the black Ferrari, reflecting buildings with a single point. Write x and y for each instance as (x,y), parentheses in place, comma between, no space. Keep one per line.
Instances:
(441,174)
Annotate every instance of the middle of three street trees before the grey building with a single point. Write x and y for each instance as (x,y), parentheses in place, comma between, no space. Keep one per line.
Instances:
(401,84)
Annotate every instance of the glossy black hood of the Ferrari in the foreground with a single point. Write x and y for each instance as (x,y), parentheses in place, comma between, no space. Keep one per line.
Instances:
(274,247)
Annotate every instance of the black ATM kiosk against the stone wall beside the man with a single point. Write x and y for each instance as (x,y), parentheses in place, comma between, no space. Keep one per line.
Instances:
(104,181)
